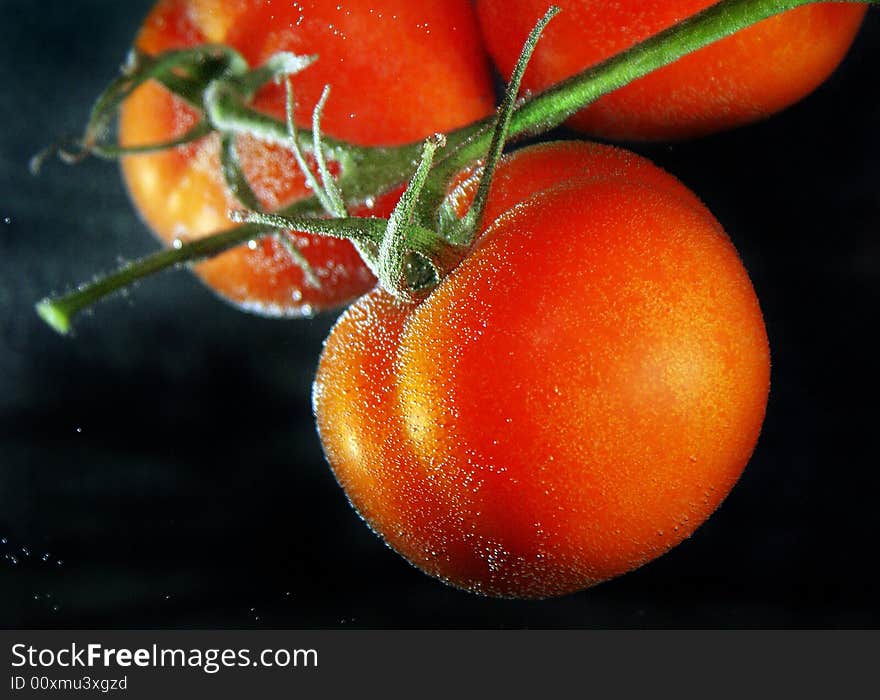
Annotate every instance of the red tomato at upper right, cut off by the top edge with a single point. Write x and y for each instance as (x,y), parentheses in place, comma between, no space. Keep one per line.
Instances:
(741,79)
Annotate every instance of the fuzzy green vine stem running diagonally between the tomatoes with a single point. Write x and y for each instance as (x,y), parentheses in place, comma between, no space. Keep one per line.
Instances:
(218,82)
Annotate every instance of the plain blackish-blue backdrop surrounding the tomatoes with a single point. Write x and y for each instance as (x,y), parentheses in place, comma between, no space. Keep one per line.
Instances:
(161,468)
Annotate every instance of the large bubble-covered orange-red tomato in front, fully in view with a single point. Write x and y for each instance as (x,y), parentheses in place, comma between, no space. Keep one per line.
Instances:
(571,401)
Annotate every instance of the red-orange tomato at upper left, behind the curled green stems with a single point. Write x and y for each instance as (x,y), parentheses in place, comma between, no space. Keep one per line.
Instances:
(400,71)
